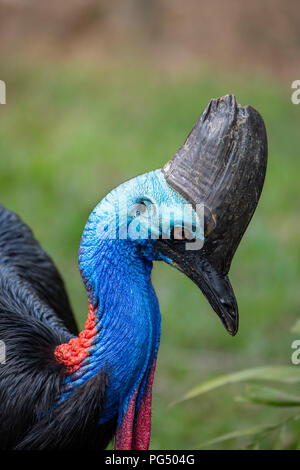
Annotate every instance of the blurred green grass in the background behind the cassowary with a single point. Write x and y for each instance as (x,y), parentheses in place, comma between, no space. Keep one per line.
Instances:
(69,134)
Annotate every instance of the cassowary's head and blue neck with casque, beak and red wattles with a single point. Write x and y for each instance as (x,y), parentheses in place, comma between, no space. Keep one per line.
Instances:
(192,214)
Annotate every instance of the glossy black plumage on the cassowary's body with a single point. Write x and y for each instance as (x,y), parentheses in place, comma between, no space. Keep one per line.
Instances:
(35,317)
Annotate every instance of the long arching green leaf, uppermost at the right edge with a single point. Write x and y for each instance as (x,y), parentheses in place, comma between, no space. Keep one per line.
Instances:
(284,374)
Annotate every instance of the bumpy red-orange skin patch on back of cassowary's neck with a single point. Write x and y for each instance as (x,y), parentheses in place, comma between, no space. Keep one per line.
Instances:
(71,354)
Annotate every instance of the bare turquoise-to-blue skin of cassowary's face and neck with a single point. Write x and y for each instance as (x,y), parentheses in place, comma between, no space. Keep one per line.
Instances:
(115,260)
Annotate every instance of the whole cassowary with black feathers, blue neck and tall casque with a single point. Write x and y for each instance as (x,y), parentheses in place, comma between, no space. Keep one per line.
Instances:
(64,390)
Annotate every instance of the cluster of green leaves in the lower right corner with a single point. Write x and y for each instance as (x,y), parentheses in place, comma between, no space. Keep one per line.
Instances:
(270,435)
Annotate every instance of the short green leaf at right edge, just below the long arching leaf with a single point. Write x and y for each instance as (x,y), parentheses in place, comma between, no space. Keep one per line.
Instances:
(269,396)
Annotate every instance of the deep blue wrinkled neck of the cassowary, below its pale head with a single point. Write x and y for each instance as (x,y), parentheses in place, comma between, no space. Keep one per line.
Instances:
(118,282)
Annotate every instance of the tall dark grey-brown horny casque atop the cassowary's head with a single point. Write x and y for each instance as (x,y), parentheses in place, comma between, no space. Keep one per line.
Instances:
(222,165)
